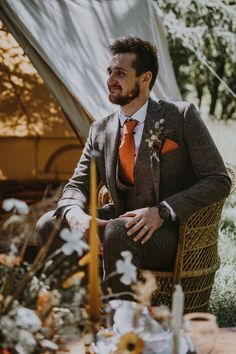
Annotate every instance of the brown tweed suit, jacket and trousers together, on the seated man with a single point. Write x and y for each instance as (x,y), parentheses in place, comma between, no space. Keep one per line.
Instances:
(189,178)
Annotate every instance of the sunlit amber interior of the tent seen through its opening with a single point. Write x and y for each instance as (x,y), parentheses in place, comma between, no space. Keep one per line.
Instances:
(36,140)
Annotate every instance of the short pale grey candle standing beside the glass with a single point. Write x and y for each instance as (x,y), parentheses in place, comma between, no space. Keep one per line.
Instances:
(177,316)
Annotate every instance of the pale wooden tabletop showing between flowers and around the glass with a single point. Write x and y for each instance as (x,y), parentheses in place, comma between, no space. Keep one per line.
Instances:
(225,344)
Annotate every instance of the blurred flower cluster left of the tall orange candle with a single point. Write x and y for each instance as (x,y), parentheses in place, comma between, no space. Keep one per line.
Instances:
(32,308)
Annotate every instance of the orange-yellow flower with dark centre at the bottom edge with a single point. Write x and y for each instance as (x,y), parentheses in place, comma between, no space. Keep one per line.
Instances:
(130,343)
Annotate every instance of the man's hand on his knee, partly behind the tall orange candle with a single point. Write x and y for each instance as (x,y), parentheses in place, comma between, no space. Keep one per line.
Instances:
(78,219)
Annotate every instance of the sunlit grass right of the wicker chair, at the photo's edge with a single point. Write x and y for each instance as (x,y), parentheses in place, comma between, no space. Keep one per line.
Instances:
(223,296)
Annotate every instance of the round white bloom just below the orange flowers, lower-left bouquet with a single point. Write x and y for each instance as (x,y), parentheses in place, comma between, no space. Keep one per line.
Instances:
(27,319)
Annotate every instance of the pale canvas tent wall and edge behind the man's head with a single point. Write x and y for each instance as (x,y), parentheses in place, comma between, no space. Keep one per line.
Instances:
(67,41)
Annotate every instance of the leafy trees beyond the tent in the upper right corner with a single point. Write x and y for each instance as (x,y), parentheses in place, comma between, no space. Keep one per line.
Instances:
(202,45)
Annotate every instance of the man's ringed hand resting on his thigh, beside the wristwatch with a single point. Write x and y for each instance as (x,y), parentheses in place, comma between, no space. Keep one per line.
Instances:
(146,221)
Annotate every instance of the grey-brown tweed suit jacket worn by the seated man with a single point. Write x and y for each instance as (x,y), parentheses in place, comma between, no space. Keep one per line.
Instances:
(188,178)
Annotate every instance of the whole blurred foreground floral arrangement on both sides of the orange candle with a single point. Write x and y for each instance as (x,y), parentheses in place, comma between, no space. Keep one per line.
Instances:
(45,301)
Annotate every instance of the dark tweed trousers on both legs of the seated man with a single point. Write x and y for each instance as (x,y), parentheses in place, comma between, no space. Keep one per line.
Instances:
(158,253)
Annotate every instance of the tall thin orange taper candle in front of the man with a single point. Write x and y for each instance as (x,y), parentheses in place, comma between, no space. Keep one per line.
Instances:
(93,261)
